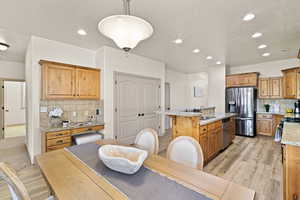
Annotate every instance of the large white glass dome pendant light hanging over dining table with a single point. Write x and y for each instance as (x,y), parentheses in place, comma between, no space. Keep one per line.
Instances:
(125,30)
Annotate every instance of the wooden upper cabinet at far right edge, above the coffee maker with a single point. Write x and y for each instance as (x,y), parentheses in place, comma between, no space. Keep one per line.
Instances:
(291,81)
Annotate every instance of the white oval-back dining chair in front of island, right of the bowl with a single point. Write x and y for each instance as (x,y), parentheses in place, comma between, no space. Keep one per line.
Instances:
(186,150)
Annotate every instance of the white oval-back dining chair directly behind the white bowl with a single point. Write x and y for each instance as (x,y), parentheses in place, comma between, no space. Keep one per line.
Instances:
(147,139)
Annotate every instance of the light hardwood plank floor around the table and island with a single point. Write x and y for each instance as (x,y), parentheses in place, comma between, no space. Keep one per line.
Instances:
(252,162)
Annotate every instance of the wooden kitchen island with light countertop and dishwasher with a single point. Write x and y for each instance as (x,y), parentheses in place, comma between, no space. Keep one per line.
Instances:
(208,131)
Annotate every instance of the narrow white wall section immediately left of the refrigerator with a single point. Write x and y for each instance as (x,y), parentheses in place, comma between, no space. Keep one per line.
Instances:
(216,87)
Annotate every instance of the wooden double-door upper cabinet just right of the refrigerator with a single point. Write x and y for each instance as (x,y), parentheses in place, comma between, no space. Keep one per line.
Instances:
(270,88)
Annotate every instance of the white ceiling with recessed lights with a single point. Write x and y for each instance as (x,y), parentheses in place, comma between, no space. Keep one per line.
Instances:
(215,27)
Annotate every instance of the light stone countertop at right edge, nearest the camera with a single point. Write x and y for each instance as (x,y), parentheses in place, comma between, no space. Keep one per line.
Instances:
(291,134)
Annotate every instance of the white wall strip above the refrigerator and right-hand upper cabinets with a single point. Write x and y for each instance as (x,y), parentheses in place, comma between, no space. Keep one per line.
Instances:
(267,69)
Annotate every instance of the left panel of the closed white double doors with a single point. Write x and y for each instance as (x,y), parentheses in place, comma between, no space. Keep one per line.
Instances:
(128,108)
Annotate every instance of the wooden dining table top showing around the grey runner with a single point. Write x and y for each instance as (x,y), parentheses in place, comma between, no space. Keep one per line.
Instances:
(70,179)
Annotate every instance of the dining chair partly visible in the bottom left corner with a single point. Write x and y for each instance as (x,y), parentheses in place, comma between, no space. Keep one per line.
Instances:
(16,188)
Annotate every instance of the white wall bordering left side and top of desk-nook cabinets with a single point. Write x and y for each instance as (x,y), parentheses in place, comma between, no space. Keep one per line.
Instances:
(40,48)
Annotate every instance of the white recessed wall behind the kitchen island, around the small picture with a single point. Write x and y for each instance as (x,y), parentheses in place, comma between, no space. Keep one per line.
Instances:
(182,89)
